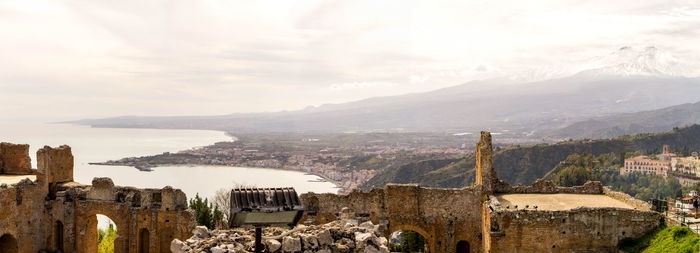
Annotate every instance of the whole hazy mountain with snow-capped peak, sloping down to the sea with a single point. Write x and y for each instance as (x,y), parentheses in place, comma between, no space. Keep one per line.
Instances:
(623,83)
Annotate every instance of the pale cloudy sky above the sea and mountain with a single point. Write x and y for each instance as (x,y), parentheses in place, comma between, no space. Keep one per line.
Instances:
(65,60)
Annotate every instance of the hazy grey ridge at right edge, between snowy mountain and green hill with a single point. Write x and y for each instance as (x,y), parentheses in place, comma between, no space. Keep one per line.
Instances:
(659,120)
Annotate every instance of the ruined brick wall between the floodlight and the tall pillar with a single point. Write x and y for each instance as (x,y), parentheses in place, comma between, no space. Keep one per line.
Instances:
(442,216)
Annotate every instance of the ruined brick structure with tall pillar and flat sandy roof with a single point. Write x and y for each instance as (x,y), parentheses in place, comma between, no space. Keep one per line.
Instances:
(492,216)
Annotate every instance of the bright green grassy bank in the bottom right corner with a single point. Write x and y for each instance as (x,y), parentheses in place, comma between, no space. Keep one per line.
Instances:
(663,239)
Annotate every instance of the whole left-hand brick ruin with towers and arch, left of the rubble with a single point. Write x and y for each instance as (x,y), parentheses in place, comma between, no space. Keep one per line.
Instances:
(50,213)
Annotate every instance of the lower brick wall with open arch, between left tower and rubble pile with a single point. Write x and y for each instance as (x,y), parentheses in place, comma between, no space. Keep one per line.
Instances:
(162,213)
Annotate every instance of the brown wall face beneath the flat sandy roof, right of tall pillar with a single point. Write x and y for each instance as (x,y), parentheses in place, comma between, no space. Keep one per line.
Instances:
(576,230)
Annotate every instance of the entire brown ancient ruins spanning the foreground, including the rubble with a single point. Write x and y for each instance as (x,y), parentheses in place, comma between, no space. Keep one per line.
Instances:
(51,212)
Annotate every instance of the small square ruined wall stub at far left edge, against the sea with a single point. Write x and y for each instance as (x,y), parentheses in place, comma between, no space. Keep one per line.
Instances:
(14,159)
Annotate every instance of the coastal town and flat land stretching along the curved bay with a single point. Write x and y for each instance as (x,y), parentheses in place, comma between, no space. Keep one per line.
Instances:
(347,165)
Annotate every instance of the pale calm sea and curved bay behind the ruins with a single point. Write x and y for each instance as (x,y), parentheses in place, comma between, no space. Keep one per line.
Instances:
(101,144)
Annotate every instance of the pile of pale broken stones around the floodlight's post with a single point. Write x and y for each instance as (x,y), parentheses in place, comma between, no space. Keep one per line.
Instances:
(338,236)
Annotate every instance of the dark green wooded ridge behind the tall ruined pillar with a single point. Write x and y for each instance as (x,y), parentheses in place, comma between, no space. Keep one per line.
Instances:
(525,164)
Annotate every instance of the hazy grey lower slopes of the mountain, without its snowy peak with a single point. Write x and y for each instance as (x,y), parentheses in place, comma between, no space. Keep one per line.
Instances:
(525,109)
